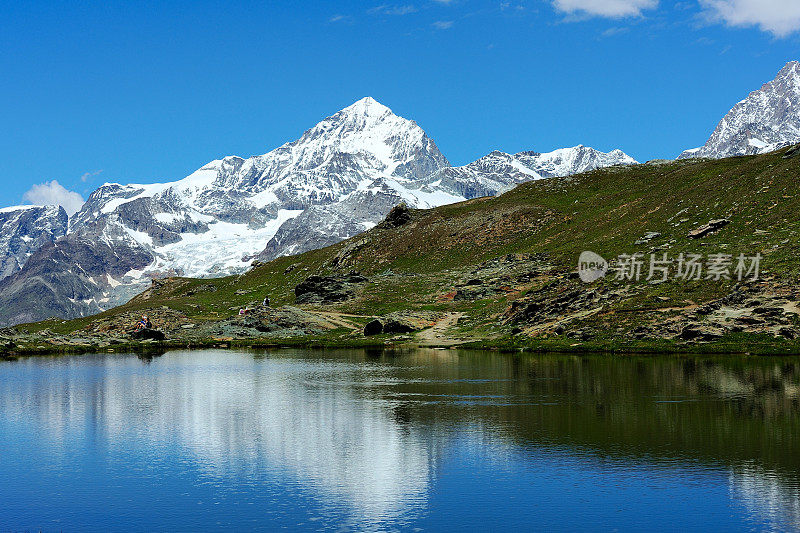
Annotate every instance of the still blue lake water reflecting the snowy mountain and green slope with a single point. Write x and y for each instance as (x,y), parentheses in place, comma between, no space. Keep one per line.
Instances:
(423,440)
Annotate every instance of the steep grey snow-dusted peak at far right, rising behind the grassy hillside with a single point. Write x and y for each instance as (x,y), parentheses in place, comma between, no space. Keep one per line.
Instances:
(766,120)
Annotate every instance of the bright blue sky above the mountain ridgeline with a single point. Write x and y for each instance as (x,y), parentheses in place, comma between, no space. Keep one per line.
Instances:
(150,91)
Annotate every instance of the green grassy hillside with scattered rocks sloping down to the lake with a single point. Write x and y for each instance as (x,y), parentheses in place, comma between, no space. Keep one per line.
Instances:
(503,264)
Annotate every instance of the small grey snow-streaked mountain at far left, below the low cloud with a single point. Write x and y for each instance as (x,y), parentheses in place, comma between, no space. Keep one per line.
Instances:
(24,229)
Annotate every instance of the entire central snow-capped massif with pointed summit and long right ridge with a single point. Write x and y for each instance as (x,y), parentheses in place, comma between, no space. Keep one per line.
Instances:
(338,179)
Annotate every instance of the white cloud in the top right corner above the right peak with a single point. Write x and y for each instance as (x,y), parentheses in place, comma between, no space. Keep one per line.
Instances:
(779,17)
